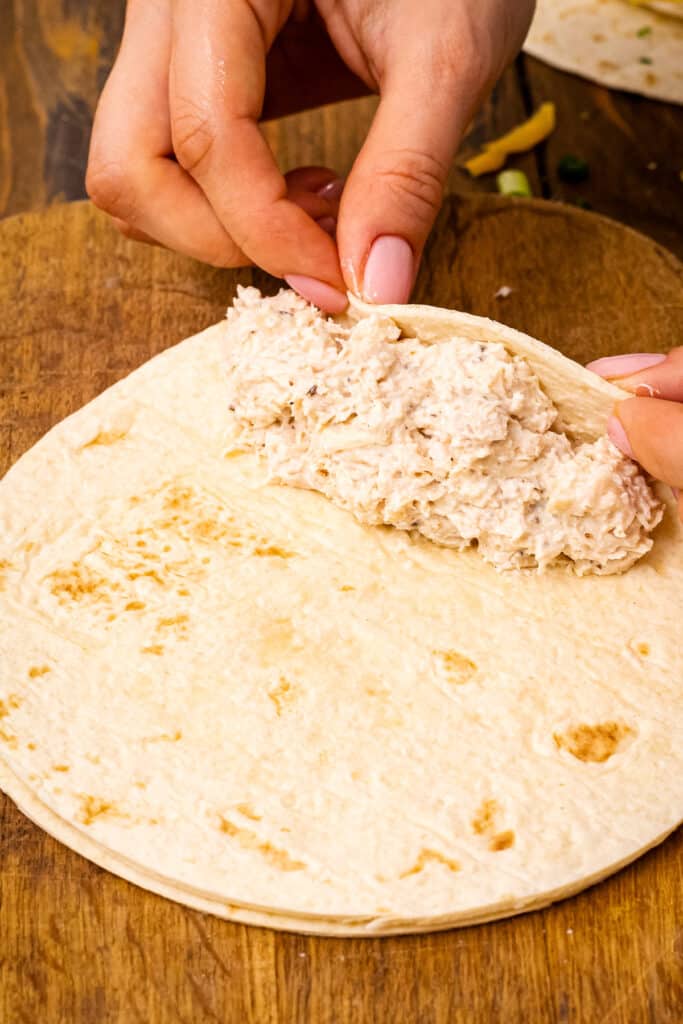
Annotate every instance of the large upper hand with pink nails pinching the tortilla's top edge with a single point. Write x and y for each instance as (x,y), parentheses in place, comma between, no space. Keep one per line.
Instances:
(178,157)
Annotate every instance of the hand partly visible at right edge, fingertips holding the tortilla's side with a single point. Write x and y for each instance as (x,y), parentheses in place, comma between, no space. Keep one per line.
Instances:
(650,428)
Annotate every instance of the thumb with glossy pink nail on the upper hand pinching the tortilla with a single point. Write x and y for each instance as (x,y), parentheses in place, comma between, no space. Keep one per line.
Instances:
(396,187)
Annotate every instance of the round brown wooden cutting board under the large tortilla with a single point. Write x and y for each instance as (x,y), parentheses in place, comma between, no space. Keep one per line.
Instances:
(80,309)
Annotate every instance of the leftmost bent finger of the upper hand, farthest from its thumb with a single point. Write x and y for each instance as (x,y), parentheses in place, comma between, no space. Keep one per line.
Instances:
(130,174)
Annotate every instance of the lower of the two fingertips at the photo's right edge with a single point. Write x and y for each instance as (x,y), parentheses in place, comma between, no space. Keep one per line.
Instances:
(651,431)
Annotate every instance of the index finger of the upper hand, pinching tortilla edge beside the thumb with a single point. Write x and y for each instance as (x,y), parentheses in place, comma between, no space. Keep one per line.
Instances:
(216,104)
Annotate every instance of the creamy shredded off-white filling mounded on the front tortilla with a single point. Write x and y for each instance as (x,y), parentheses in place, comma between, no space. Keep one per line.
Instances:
(454,440)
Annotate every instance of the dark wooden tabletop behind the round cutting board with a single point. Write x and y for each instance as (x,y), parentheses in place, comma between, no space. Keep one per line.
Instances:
(56,55)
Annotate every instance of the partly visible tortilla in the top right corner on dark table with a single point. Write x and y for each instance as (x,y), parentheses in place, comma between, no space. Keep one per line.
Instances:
(601,40)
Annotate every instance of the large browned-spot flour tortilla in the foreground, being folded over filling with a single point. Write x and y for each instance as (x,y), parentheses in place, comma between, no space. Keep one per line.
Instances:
(272,713)
